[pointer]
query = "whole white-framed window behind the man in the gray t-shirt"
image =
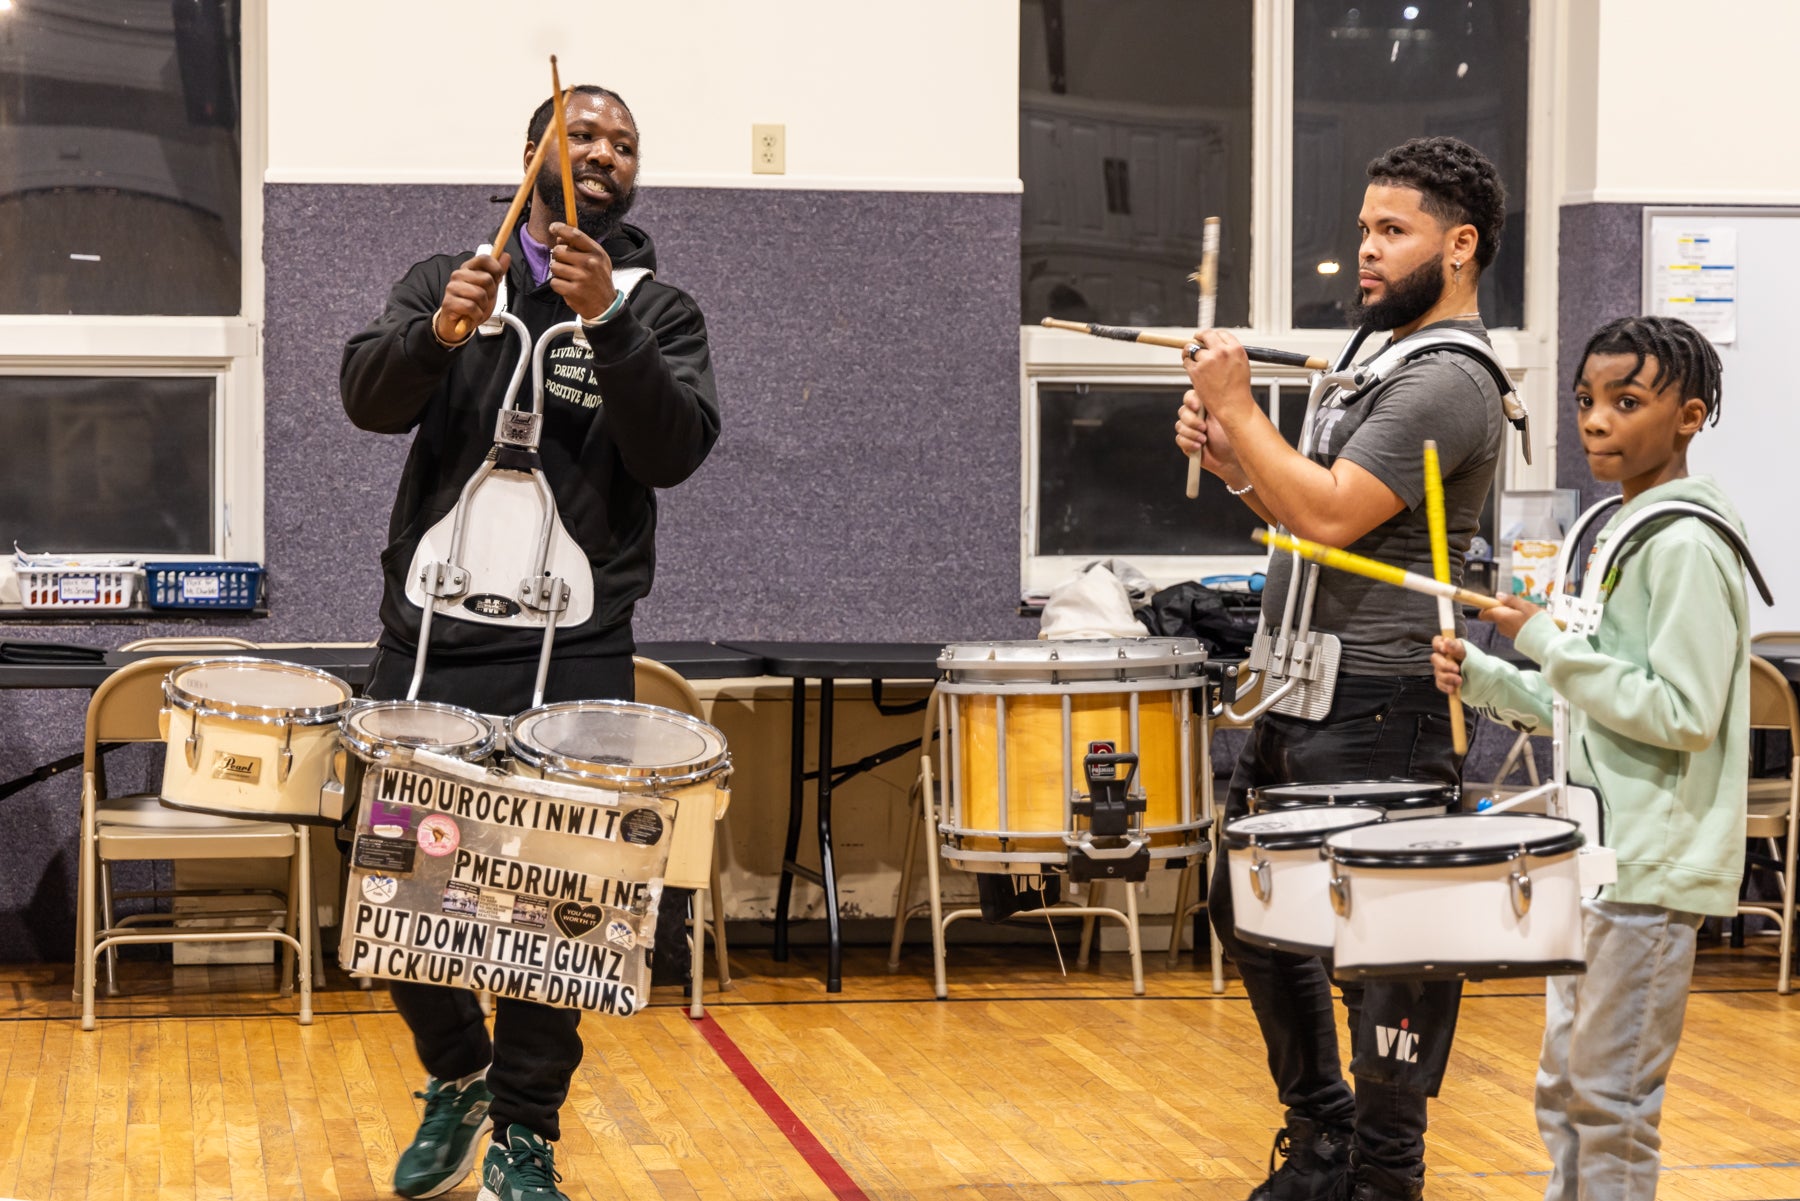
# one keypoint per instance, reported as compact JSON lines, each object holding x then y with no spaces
{"x":1142,"y":118}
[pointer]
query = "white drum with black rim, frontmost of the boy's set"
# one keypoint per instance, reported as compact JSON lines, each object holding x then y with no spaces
{"x":1471,"y":896}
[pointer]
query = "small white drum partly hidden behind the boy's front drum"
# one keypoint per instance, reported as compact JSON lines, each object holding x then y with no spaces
{"x":1279,"y":881}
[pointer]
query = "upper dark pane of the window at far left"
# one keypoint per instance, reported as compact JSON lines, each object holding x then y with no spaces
{"x":120,"y":158}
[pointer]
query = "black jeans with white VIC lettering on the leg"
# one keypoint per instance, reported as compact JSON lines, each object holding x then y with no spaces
{"x":1378,"y":728}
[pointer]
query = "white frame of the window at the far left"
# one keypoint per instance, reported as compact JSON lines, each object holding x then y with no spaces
{"x":228,"y":348}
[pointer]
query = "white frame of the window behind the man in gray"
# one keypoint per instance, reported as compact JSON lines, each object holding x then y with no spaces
{"x":1529,"y":352}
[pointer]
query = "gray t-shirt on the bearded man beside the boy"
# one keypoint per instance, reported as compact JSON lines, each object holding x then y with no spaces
{"x":1446,"y":397}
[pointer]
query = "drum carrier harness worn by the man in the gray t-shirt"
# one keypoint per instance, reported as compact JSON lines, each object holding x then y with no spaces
{"x":1299,"y":665}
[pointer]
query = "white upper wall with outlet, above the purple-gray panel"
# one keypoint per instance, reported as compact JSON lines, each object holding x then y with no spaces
{"x":895,"y":96}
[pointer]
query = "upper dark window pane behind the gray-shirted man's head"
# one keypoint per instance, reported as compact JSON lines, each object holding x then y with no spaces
{"x":1371,"y":75}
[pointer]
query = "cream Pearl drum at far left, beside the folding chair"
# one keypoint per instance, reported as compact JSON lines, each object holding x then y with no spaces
{"x":253,"y":739}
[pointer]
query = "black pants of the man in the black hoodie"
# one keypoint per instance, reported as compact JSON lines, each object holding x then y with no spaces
{"x":535,"y":1049}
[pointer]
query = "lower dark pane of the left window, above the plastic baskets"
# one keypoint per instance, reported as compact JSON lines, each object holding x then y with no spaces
{"x":107,"y":464}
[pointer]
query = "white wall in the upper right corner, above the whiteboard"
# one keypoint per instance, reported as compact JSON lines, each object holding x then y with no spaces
{"x":1691,"y":102}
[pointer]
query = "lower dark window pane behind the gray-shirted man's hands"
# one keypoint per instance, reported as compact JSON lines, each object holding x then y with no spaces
{"x":1111,"y":482}
